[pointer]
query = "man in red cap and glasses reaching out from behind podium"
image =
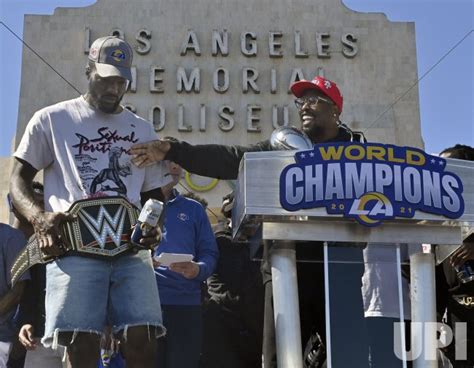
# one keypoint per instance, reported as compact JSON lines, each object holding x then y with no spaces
{"x":319,"y":103}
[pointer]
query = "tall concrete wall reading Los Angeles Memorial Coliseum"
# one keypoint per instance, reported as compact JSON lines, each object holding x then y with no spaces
{"x":383,"y":67}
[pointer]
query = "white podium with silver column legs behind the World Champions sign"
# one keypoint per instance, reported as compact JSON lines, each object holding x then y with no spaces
{"x":257,"y":204}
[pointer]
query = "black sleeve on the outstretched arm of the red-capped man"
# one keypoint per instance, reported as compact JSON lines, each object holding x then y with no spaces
{"x":212,"y":160}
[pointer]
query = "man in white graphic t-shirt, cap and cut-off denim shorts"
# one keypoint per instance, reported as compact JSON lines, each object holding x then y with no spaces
{"x":83,"y":147}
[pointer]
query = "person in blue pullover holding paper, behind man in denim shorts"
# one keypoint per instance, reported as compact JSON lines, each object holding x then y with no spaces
{"x":186,"y":230}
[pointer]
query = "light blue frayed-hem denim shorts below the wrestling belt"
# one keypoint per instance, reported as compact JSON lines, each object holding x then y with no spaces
{"x":86,"y":294}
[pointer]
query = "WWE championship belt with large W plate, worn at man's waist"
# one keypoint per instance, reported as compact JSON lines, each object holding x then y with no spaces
{"x":101,"y":228}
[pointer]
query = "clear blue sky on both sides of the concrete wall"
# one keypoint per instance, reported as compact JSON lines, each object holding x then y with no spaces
{"x":446,"y":93}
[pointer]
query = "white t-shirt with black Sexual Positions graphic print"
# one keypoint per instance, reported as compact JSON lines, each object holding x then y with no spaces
{"x":85,"y":154}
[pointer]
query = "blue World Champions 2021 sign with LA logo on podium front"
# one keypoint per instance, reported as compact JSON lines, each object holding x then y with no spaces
{"x":371,"y":182}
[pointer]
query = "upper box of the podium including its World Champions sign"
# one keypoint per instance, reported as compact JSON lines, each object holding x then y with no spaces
{"x":440,"y":208}
